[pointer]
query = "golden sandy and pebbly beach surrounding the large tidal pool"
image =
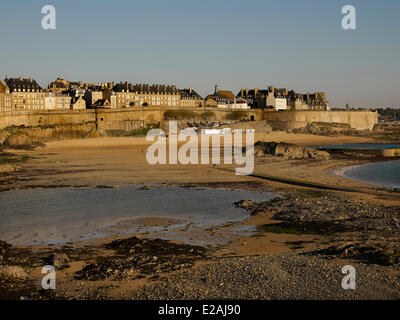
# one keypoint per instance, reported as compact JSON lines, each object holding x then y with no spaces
{"x":280,"y":247}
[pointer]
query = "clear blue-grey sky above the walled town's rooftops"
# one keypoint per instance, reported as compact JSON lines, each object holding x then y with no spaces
{"x":295,"y":44}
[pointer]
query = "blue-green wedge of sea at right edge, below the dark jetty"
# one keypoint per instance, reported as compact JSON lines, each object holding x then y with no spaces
{"x":385,"y":174}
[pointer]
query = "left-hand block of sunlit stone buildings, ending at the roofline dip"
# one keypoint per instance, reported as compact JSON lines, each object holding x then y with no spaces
{"x":19,"y":94}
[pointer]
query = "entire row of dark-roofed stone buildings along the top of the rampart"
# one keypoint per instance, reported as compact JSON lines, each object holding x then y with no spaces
{"x":18,"y":94}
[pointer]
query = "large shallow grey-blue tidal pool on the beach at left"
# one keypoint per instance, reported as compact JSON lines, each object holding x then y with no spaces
{"x":56,"y":216}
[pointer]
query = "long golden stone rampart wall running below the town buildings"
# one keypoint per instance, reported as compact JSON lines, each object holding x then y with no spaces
{"x":120,"y":118}
